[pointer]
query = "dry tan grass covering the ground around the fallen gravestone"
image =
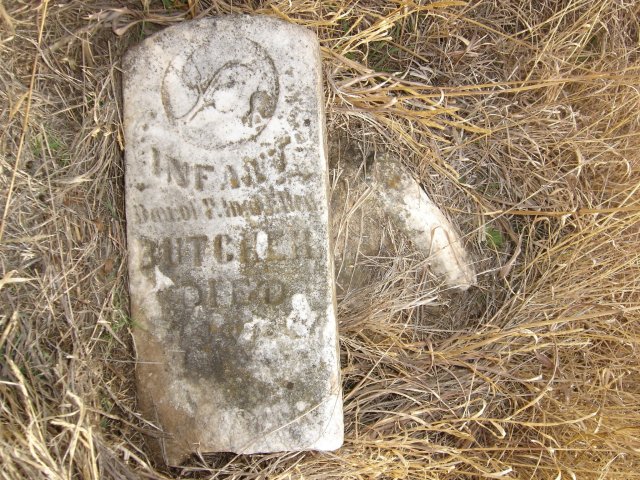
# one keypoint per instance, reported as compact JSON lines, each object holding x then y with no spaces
{"x":521,"y":118}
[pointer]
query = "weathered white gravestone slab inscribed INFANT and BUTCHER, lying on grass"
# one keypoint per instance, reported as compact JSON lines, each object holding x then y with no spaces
{"x":231,"y":277}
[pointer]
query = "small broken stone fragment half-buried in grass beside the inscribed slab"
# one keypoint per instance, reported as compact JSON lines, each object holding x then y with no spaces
{"x":365,"y":199}
